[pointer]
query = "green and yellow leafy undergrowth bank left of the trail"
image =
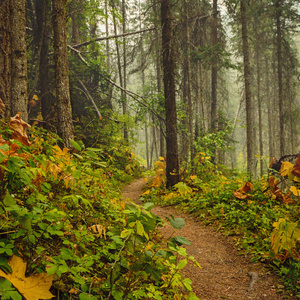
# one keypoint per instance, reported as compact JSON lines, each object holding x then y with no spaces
{"x":65,"y":232}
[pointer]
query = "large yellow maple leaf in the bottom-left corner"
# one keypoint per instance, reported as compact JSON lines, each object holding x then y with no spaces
{"x":34,"y":287}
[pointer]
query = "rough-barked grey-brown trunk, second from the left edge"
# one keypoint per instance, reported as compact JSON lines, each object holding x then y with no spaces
{"x":18,"y":58}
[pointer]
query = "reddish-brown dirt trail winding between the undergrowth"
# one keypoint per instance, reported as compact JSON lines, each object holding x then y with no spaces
{"x":224,"y":273}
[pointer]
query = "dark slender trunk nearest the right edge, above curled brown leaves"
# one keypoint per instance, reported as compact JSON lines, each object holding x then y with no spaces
{"x":278,"y":7}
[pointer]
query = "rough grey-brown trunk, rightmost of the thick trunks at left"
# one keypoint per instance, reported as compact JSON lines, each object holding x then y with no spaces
{"x":64,"y":109}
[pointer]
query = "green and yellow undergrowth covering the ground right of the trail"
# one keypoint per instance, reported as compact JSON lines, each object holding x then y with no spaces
{"x":261,"y":216}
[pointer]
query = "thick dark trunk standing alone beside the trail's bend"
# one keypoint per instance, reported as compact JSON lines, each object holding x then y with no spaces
{"x":172,"y":166}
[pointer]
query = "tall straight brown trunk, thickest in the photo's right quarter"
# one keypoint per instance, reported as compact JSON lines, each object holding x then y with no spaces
{"x":248,"y":94}
